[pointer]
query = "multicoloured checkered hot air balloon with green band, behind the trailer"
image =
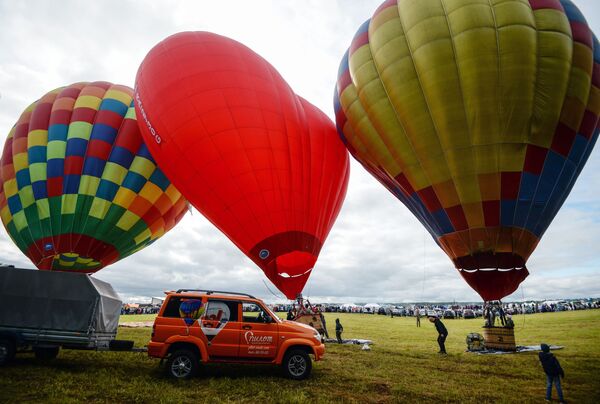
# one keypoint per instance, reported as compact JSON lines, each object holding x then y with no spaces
{"x":79,"y":189}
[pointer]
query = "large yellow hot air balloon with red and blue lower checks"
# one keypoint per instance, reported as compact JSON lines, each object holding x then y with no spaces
{"x":477,"y":115}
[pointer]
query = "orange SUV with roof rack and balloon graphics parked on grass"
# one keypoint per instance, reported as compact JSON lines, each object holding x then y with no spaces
{"x":206,"y":326}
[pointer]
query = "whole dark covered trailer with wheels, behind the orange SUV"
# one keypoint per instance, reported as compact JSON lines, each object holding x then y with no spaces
{"x":44,"y":311}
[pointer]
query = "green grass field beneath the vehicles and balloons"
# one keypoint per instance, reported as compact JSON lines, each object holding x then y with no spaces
{"x":402,"y":366}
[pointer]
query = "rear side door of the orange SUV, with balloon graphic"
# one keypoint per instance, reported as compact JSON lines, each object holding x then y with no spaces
{"x":221,"y":326}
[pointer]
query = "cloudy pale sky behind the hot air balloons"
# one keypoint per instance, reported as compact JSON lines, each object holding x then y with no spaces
{"x":377,"y":251}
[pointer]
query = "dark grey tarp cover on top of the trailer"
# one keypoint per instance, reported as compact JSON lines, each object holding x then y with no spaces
{"x":57,"y":301}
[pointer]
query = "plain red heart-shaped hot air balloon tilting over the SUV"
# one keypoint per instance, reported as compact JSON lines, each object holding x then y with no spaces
{"x":261,"y":163}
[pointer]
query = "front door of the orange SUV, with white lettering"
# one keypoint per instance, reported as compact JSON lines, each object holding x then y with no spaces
{"x":259,"y":333}
